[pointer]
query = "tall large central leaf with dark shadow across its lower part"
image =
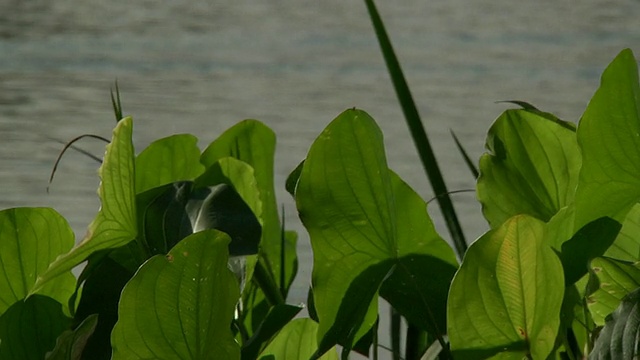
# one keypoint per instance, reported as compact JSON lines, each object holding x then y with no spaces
{"x":365,"y":225}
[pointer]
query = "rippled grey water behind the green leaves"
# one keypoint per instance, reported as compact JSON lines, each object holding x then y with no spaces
{"x":201,"y":66}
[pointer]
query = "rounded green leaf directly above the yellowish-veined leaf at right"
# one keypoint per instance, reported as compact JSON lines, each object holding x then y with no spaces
{"x":531,"y":168}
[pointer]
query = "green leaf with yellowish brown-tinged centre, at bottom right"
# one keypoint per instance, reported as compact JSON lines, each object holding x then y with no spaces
{"x":507,"y":295}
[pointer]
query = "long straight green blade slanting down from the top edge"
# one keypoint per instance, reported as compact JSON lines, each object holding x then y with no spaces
{"x":417,"y":130}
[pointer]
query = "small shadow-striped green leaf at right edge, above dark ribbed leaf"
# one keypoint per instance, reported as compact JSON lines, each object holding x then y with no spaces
{"x":612,"y":280}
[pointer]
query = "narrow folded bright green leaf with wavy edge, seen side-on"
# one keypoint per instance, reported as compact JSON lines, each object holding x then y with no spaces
{"x":115,"y":224}
